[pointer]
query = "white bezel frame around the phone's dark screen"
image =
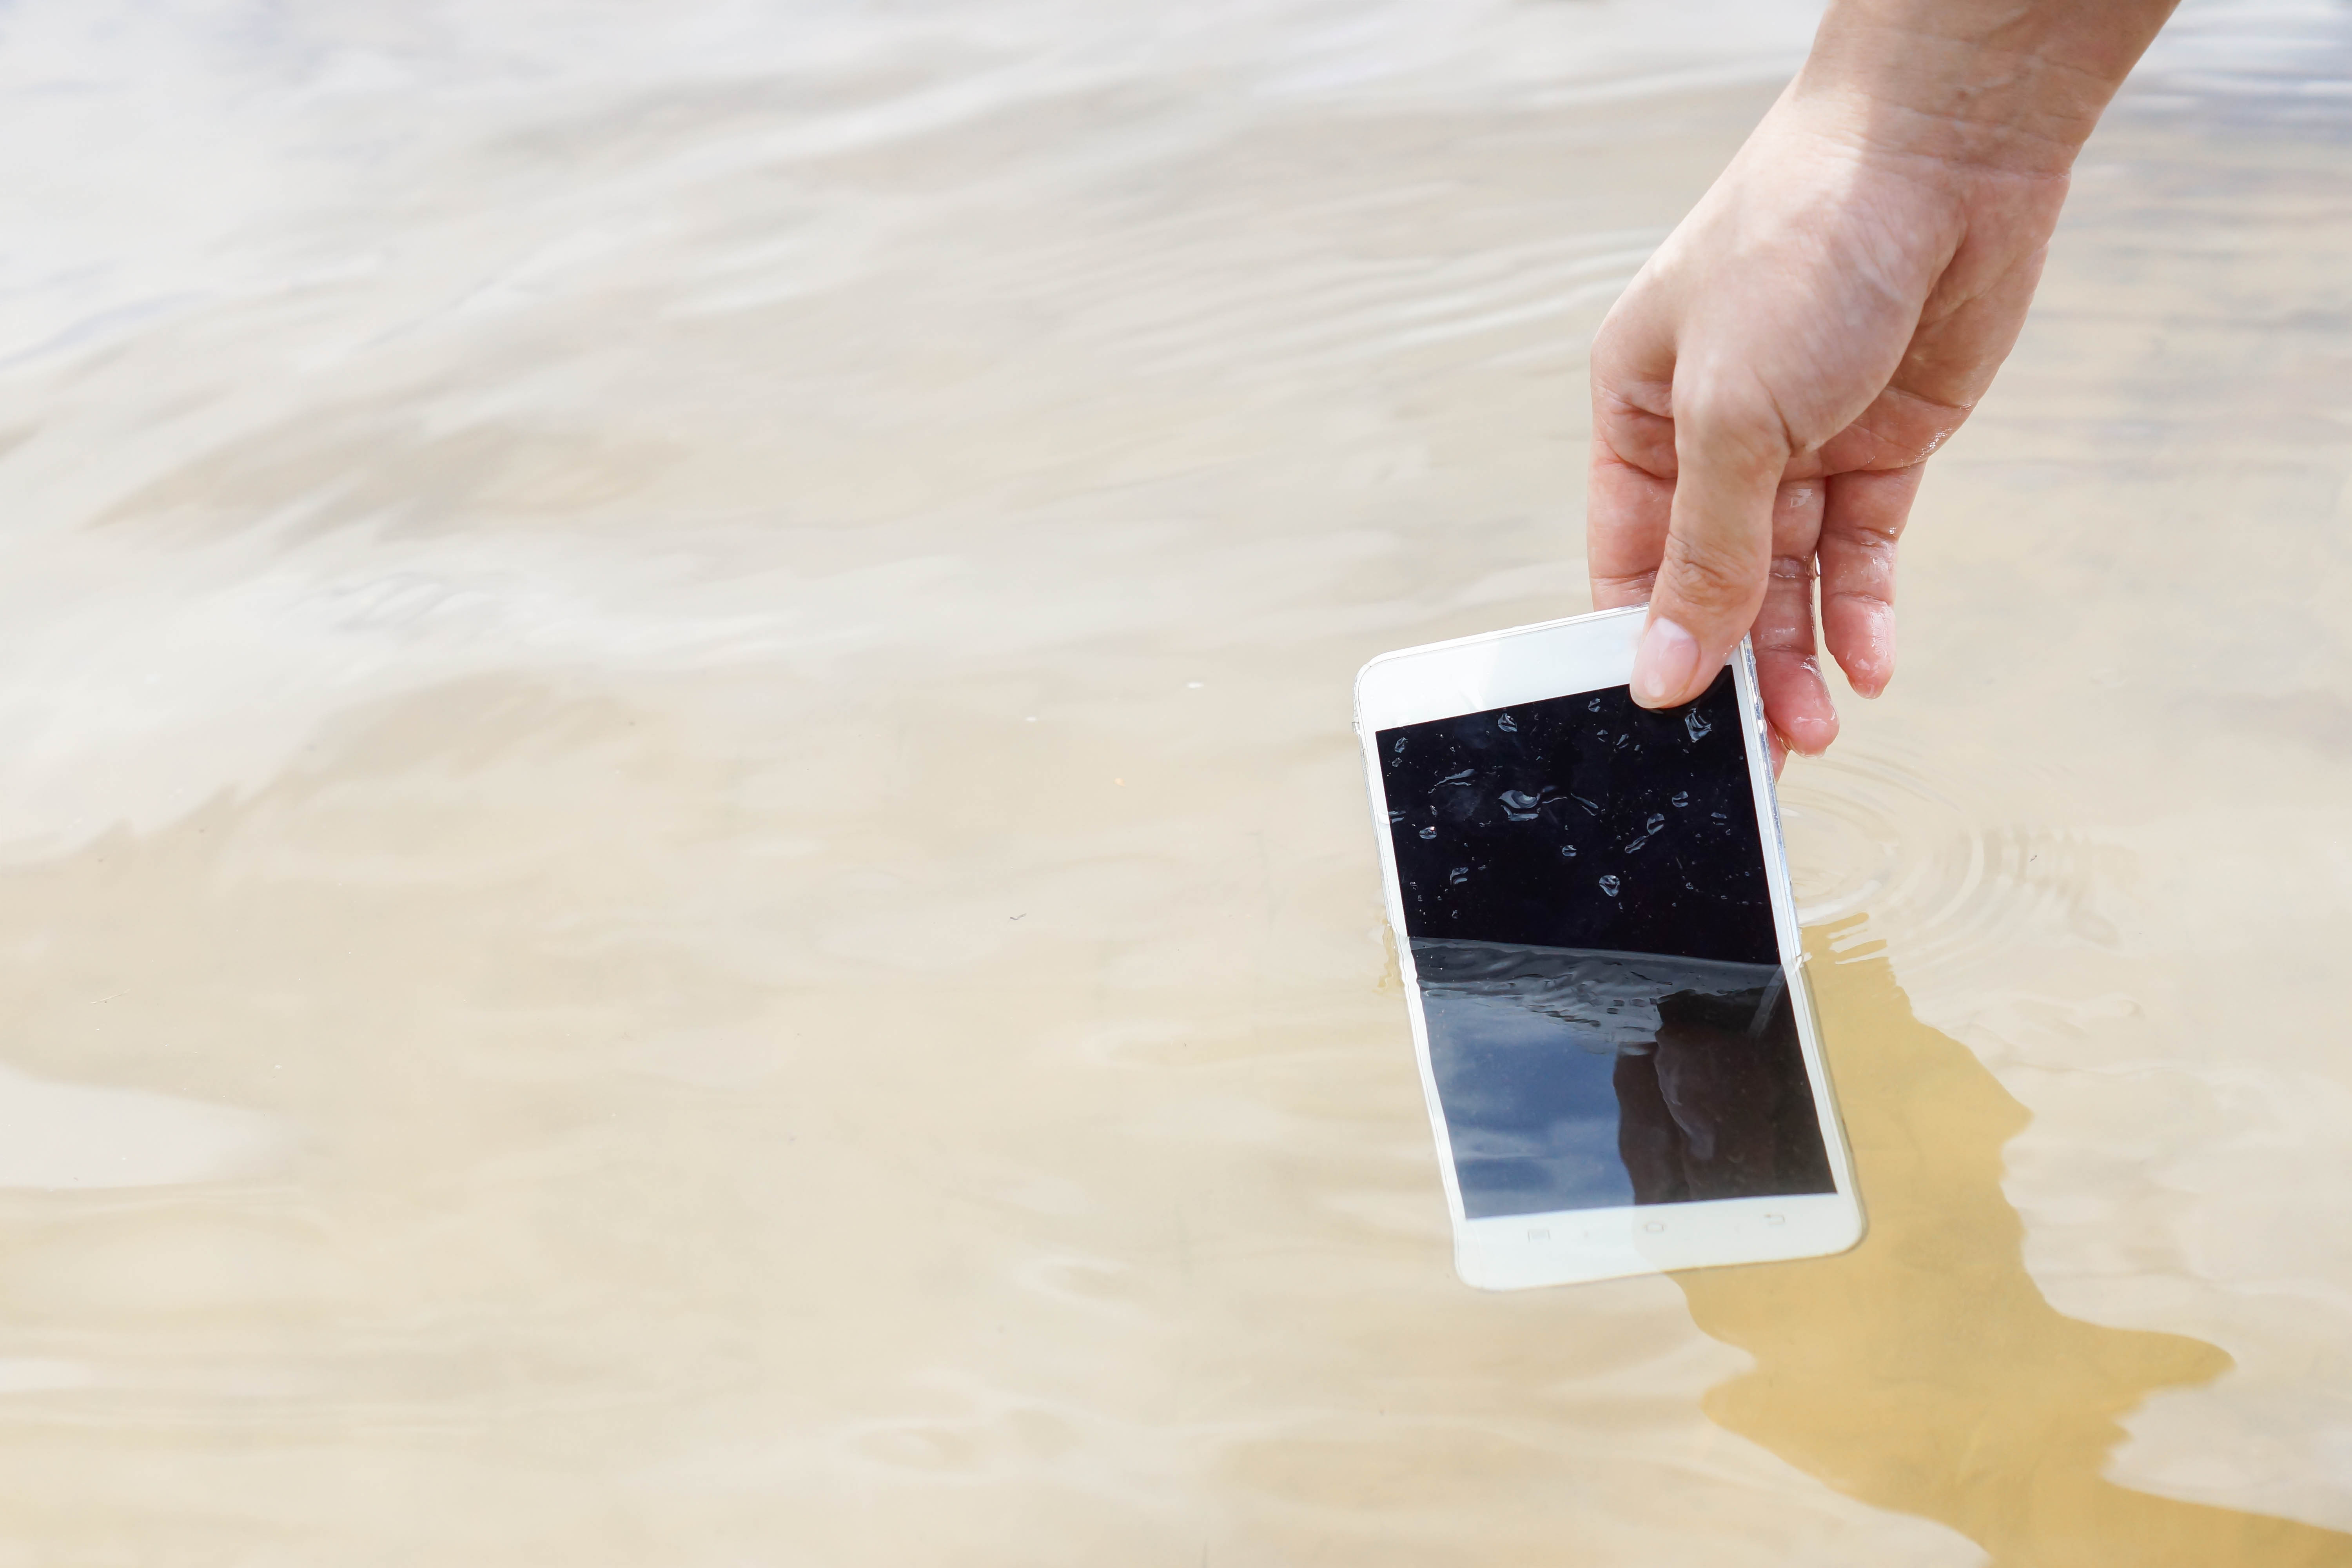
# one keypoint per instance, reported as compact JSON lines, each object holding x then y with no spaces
{"x":1502,"y":1254}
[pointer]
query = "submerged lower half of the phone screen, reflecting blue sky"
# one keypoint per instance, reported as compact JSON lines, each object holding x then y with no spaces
{"x":1596,"y":1080}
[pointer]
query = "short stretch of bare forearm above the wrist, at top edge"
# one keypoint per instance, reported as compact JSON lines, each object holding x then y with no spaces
{"x":2010,"y":86}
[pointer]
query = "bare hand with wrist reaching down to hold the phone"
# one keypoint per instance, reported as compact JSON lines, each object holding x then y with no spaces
{"x":1770,"y":387}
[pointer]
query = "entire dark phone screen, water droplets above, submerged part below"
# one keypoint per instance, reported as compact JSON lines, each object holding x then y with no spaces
{"x":1593,"y":937}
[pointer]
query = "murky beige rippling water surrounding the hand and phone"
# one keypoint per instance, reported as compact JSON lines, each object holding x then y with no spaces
{"x":686,"y":878}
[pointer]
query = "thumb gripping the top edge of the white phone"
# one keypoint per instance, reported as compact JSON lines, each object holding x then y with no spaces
{"x":1718,"y":549}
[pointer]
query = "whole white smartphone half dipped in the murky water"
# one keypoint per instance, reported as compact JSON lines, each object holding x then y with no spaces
{"x":1601,"y":960}
